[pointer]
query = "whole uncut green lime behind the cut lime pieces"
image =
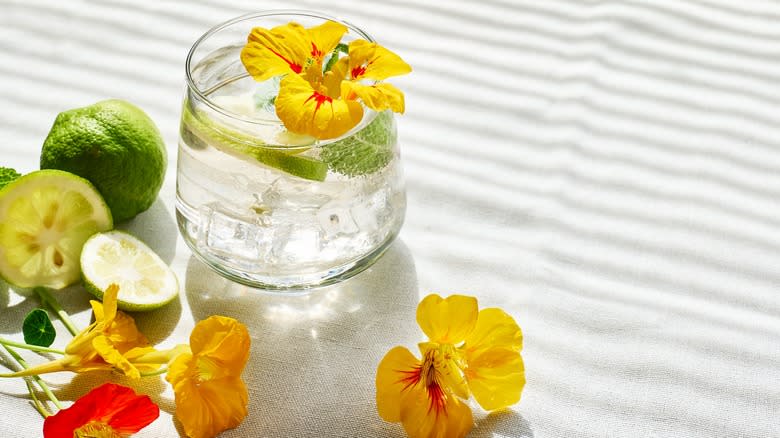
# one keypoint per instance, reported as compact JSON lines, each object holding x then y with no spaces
{"x":114,"y":145}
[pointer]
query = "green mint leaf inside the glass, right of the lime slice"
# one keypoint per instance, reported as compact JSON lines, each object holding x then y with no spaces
{"x":368,"y":151}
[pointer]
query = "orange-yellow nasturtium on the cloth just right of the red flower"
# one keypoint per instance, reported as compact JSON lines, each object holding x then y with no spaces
{"x":210,"y":395}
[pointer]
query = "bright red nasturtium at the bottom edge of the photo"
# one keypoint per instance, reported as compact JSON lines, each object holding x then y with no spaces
{"x":108,"y":411}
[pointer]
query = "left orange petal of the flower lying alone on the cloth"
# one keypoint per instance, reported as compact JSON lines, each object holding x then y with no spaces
{"x":399,"y":371}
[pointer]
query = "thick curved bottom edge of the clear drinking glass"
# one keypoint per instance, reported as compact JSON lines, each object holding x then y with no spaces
{"x":288,"y":283}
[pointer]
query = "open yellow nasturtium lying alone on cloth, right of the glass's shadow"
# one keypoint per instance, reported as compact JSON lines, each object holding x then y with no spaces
{"x":469,"y":352}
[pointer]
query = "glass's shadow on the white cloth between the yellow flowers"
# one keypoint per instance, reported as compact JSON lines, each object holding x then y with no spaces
{"x":313,"y":359}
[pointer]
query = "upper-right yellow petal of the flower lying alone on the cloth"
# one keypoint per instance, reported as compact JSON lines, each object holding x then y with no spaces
{"x":495,"y":328}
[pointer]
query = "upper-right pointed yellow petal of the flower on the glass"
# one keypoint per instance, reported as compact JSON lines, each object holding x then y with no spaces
{"x":372,"y":61}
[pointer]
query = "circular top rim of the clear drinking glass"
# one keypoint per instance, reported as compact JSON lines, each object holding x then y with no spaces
{"x":247,"y":17}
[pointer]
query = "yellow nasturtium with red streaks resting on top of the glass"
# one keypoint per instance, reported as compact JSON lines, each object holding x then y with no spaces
{"x":323,"y":104}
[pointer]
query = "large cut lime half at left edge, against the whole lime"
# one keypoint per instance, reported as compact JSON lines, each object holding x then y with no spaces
{"x":45,"y":218}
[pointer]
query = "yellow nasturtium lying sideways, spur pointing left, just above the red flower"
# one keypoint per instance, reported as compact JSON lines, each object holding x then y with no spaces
{"x":111,"y":342}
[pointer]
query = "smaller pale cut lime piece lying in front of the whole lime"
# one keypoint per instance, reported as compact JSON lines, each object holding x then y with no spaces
{"x":115,"y":257}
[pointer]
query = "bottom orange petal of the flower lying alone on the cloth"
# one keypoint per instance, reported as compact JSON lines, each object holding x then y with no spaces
{"x":421,"y":421}
